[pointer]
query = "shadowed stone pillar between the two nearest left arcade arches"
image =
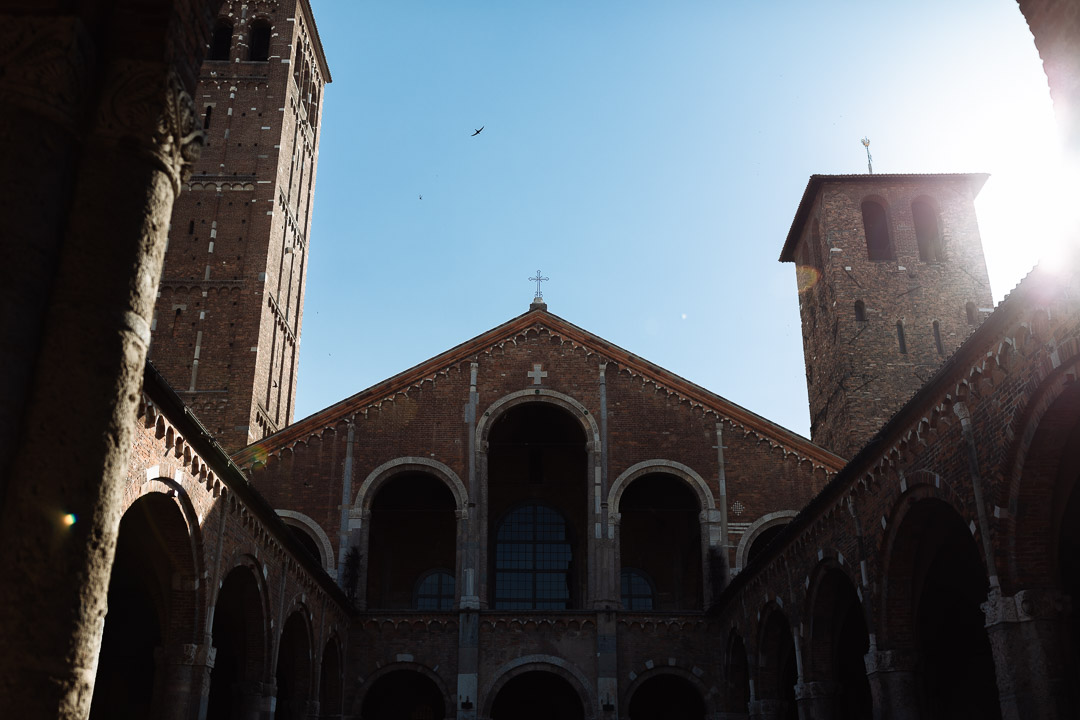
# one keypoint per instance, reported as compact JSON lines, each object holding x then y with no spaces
{"x":182,"y":682}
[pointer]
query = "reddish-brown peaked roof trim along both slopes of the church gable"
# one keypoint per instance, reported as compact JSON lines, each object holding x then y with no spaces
{"x":539,"y":319}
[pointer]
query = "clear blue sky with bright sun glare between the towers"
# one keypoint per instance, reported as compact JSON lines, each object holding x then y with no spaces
{"x":649,"y":158}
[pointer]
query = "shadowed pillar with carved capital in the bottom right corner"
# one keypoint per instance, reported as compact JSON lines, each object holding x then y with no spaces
{"x":1030,"y":636}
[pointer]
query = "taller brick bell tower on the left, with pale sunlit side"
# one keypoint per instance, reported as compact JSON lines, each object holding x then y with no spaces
{"x":227,"y":324}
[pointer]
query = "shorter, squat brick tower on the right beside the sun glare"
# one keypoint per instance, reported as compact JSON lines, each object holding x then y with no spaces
{"x":892,"y":281}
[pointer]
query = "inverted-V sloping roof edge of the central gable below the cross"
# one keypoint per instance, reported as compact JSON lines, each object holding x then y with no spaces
{"x":694,"y":392}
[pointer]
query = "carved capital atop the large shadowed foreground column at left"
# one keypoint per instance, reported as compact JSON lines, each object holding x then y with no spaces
{"x":146,"y":107}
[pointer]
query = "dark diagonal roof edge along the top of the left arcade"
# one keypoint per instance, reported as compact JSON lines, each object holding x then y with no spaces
{"x":181,"y":416}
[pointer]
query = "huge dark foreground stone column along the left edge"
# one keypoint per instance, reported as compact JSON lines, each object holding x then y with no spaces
{"x":134,"y":127}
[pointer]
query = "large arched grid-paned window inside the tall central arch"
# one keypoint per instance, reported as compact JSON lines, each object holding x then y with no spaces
{"x":533,"y":560}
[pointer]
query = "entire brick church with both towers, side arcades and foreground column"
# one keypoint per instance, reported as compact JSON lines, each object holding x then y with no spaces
{"x":535,"y":523}
